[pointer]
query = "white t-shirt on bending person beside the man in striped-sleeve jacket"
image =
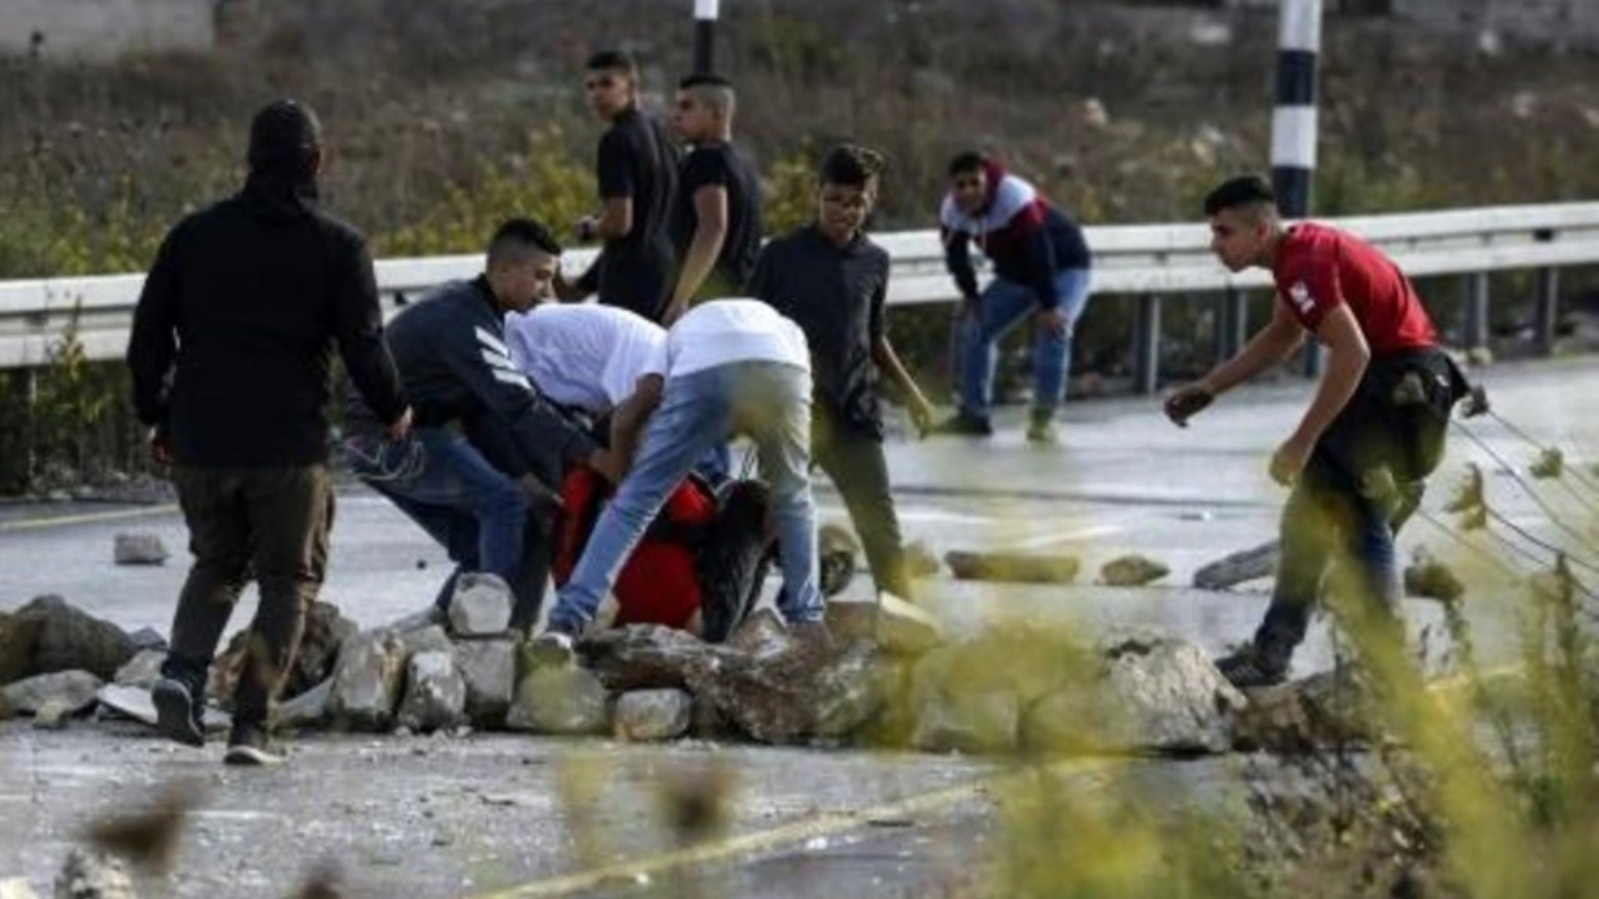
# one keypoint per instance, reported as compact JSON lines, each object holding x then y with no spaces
{"x":586,"y":356}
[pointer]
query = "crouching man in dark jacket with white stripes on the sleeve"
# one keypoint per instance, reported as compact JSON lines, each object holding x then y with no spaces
{"x":479,"y":473}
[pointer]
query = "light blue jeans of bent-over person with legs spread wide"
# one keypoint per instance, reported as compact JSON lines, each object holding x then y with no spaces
{"x":768,"y":401}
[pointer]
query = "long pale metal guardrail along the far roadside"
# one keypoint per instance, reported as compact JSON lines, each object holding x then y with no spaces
{"x":1149,"y":263}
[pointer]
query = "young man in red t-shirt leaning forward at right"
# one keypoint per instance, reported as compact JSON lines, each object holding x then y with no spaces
{"x":1373,"y":433}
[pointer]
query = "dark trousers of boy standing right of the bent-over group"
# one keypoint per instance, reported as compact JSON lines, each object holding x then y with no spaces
{"x":861,"y":474}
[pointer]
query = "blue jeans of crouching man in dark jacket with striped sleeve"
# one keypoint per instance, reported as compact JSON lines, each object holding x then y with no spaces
{"x":477,"y":513}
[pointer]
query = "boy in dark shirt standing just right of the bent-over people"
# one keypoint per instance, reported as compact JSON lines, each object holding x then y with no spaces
{"x":832,"y":281}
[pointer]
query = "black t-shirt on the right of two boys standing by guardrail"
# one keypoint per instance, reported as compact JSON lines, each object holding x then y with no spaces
{"x":720,"y":166}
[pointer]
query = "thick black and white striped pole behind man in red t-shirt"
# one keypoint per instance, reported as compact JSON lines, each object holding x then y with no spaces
{"x":1294,"y":122}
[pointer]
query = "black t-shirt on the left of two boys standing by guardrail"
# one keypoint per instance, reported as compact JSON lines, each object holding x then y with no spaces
{"x":640,"y":162}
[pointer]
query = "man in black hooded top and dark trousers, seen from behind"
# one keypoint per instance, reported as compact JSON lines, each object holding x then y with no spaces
{"x":231,"y":353}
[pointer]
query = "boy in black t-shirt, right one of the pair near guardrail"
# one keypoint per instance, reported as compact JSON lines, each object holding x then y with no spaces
{"x":716,"y":222}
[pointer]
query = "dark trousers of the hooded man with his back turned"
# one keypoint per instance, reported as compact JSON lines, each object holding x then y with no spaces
{"x":273,"y":522}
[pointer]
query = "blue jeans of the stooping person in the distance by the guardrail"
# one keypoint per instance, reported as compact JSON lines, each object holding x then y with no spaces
{"x":1003,"y":306}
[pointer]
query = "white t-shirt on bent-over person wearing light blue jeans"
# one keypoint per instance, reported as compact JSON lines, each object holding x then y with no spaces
{"x":722,"y":332}
